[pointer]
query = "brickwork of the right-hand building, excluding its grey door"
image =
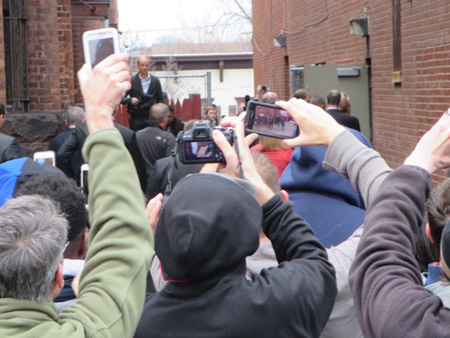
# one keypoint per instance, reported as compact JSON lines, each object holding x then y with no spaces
{"x":318,"y":31}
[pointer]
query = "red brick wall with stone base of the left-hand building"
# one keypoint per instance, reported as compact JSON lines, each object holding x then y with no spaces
{"x":54,"y":56}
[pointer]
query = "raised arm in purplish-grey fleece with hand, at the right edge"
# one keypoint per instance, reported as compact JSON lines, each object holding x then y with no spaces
{"x":385,"y":277}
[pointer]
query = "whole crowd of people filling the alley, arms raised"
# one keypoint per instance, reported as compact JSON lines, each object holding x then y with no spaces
{"x":313,"y":236}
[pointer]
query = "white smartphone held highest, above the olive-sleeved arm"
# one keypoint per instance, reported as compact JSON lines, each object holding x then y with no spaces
{"x":99,"y":44}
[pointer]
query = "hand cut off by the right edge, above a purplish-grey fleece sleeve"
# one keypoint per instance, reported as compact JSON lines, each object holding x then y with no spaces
{"x":433,"y":150}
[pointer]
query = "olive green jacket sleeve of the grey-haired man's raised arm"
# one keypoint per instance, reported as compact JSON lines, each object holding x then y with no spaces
{"x":112,"y":289}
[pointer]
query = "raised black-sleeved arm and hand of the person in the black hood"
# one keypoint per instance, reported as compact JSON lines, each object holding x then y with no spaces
{"x":305,"y":279}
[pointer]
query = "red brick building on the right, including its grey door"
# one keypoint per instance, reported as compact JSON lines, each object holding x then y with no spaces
{"x":402,"y":77}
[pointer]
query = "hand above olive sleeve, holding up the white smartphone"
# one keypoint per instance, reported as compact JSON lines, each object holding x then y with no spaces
{"x":103,"y":90}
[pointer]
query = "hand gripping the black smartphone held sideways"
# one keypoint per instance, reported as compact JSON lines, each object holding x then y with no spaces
{"x":317,"y":127}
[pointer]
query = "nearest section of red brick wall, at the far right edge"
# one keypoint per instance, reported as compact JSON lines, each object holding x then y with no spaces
{"x":402,"y":114}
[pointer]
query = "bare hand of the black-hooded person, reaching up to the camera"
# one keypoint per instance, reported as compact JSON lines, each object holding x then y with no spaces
{"x":263,"y":192}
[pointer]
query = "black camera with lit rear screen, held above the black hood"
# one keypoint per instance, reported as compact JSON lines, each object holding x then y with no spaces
{"x":197,"y":145}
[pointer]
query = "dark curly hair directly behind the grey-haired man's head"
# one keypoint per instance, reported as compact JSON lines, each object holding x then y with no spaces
{"x":63,"y":191}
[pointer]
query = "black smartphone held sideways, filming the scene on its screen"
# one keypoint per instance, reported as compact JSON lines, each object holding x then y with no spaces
{"x":269,"y":120}
